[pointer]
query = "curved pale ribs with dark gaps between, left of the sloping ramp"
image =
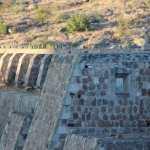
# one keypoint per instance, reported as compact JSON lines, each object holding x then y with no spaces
{"x":24,"y":69}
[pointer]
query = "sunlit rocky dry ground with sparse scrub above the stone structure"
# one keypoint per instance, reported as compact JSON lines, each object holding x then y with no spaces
{"x":113,"y":23}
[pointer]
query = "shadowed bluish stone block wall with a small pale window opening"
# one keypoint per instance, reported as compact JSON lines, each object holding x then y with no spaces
{"x":98,"y":108}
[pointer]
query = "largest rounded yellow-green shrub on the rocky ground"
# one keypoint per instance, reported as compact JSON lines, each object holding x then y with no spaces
{"x":78,"y":23}
